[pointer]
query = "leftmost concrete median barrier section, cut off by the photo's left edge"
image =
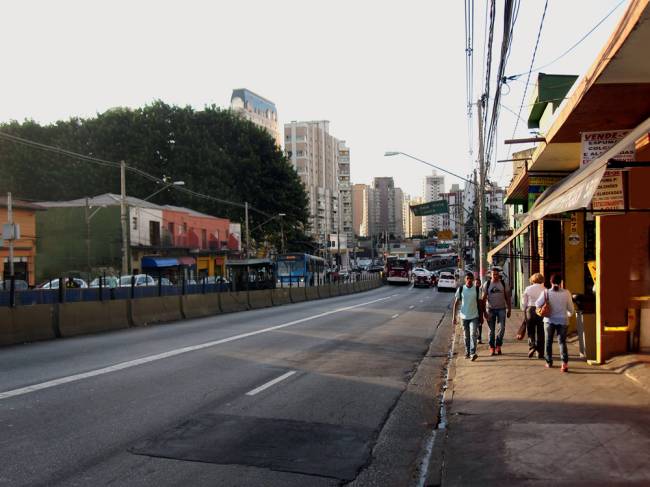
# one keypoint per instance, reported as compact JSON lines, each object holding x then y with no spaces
{"x":26,"y":324}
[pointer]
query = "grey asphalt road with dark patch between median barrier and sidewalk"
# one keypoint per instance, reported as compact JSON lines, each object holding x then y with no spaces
{"x":295,"y":395}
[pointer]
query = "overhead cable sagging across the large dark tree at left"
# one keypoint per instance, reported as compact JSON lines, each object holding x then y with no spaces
{"x":114,"y":164}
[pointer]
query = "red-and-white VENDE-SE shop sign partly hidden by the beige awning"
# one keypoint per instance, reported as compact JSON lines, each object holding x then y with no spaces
{"x":609,"y":195}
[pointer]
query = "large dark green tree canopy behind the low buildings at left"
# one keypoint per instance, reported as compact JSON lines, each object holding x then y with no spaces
{"x":213,"y":151}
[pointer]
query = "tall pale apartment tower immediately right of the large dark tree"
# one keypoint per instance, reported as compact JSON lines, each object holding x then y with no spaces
{"x":314,"y":154}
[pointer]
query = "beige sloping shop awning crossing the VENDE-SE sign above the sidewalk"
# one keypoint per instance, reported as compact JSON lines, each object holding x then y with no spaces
{"x":575,"y":191}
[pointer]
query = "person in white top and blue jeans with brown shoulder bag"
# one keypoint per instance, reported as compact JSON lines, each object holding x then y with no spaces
{"x":561,"y":304}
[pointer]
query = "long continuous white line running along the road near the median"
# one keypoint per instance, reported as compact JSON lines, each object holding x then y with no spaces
{"x":171,"y":353}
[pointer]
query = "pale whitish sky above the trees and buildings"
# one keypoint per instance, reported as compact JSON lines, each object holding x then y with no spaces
{"x":389,"y":76}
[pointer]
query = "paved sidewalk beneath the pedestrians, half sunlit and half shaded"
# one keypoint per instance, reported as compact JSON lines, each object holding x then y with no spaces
{"x":512,"y":421}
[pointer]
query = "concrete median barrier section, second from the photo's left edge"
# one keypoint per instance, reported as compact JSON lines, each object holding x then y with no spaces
{"x":86,"y":317}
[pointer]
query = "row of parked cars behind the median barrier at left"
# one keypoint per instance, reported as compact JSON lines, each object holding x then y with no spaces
{"x":106,"y":282}
